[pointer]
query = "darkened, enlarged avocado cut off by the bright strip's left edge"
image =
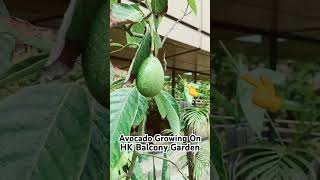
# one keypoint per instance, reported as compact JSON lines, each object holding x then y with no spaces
{"x":95,"y":60}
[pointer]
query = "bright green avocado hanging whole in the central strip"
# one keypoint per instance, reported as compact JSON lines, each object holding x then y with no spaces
{"x":150,"y":78}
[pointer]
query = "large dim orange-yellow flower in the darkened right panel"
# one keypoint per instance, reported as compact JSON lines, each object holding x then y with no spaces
{"x":264,"y":95}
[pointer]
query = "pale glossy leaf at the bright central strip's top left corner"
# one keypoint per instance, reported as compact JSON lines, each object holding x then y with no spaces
{"x":124,"y":12}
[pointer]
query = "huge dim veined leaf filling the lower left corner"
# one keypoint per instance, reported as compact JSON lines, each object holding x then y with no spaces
{"x":45,"y":133}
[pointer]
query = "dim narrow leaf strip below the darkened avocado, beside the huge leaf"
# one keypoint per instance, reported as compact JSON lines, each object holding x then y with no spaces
{"x":96,"y":167}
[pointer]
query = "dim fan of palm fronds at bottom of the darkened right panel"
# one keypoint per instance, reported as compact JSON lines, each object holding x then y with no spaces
{"x":273,"y":161}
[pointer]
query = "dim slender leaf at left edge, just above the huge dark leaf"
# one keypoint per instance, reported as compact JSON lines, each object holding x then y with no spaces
{"x":24,"y":68}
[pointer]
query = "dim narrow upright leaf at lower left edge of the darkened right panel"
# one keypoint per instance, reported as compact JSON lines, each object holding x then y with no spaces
{"x":217,"y":155}
